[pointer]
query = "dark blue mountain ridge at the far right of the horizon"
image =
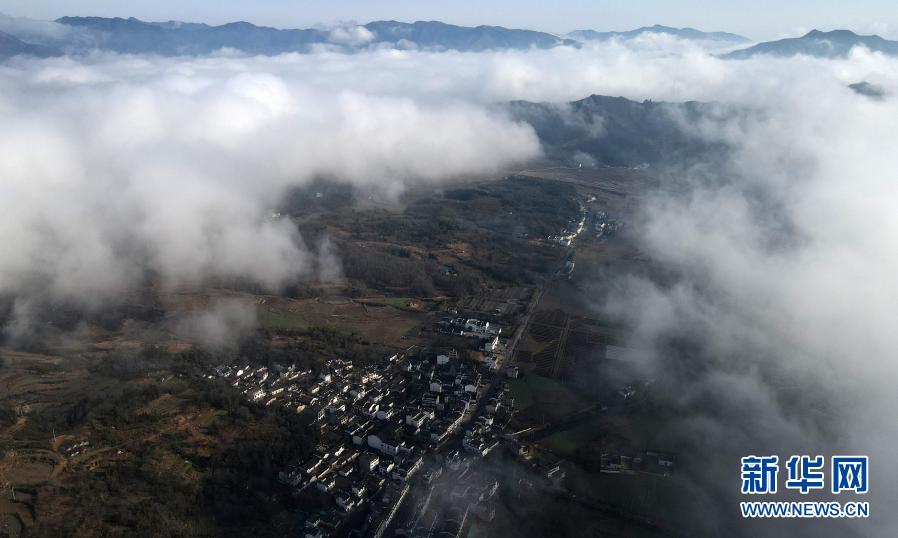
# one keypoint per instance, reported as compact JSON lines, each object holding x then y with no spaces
{"x":833,"y":44}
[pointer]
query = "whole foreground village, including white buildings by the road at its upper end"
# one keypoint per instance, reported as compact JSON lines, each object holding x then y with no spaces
{"x":380,"y":421}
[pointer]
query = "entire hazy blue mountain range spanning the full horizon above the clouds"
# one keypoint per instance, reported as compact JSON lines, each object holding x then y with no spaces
{"x":78,"y":35}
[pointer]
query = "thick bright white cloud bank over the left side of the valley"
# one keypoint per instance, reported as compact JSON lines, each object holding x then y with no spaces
{"x":118,"y":169}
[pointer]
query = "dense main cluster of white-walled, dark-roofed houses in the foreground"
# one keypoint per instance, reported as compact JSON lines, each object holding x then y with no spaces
{"x":377,"y":421}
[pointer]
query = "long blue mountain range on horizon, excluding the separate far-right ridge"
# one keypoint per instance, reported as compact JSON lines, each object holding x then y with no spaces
{"x":171,"y":38}
